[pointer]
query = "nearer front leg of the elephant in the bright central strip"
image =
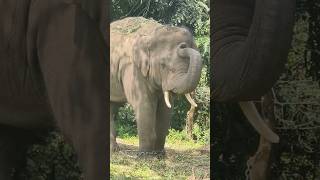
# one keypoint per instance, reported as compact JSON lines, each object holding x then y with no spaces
{"x":144,"y":103}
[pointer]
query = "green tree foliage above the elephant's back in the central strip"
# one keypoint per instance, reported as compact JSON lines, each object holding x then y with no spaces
{"x":165,"y":11}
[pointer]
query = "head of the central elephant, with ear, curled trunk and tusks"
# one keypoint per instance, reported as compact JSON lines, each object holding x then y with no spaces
{"x":170,"y":60}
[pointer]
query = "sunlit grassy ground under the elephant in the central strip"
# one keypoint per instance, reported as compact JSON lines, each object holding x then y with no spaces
{"x":184,"y":160}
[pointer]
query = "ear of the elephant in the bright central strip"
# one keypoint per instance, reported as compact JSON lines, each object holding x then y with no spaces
{"x":141,"y":54}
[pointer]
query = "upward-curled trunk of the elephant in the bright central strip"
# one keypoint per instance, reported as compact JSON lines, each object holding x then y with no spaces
{"x":187,"y":82}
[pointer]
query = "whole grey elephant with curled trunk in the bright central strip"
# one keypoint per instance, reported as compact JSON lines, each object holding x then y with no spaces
{"x":149,"y":63}
